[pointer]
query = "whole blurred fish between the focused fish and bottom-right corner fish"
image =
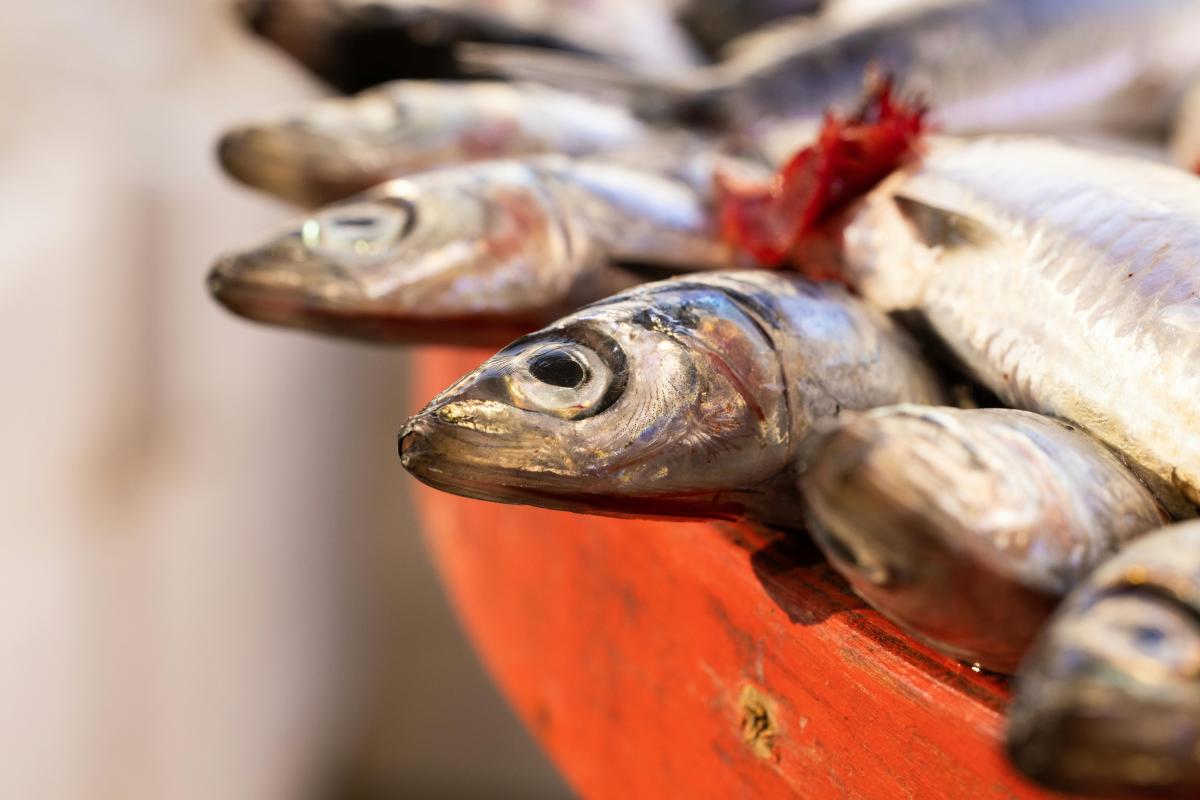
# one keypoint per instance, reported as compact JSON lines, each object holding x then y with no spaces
{"x":968,"y":527}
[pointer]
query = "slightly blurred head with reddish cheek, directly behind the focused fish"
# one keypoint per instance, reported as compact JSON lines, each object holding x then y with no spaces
{"x":455,"y":248}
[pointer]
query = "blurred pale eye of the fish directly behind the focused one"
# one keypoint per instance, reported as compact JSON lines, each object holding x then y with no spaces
{"x":357,"y":233}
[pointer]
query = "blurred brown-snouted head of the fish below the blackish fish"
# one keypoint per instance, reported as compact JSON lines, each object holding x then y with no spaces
{"x":338,"y":147}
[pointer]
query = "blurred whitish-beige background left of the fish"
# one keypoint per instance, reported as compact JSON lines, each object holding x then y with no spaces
{"x":213,"y":584}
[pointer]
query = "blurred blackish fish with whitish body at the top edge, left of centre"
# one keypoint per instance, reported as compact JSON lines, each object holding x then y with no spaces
{"x":358,"y":44}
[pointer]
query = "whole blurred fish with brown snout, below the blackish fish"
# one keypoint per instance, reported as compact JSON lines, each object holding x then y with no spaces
{"x":334,"y":148}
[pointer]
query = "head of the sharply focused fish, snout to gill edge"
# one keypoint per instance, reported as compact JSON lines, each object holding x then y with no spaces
{"x":663,"y":402}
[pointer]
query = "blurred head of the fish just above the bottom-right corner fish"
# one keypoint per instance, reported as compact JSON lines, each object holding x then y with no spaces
{"x":914,"y":507}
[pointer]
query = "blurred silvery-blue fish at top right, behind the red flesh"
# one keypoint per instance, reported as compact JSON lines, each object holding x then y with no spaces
{"x":982,"y":65}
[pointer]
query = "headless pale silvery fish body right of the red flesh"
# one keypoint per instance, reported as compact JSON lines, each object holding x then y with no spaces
{"x":1064,"y":279}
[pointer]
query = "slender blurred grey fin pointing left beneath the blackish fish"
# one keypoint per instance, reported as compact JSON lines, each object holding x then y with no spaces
{"x":655,"y":98}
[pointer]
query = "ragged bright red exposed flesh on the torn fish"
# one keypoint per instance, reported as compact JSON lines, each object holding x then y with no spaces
{"x":850,"y":157}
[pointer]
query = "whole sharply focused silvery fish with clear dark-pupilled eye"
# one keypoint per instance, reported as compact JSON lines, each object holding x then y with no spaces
{"x":687,"y":399}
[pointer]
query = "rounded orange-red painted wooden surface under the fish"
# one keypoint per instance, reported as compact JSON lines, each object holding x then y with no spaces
{"x":664,"y":660}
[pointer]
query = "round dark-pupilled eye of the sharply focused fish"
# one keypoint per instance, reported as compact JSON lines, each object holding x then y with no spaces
{"x":566,"y":380}
